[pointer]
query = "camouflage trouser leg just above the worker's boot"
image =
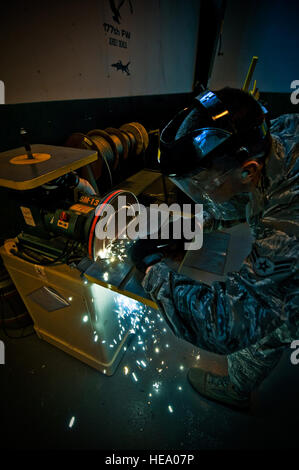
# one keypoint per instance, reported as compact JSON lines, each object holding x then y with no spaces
{"x":249,"y":367}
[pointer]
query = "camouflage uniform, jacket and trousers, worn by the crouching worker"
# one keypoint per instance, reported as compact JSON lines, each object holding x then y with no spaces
{"x":254,"y":314}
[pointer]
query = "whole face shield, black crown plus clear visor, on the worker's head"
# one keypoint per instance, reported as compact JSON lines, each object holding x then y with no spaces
{"x":204,"y":161}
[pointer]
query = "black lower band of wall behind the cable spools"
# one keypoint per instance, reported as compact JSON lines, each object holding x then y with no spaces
{"x":52,"y":122}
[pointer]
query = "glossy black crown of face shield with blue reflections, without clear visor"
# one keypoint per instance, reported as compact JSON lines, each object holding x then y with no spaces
{"x":191,"y":141}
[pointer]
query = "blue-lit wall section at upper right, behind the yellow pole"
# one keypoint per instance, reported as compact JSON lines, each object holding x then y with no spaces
{"x":268,"y":29}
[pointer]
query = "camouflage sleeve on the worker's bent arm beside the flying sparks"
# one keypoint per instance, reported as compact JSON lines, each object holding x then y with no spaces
{"x":228,"y":316}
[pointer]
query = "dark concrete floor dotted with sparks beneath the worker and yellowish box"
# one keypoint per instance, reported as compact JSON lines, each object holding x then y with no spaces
{"x":42,"y":388}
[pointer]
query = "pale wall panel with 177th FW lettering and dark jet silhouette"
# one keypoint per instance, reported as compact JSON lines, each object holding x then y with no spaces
{"x":65,"y":49}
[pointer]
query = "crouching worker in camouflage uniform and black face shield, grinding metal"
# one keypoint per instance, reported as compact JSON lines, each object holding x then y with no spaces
{"x":221,"y":153}
